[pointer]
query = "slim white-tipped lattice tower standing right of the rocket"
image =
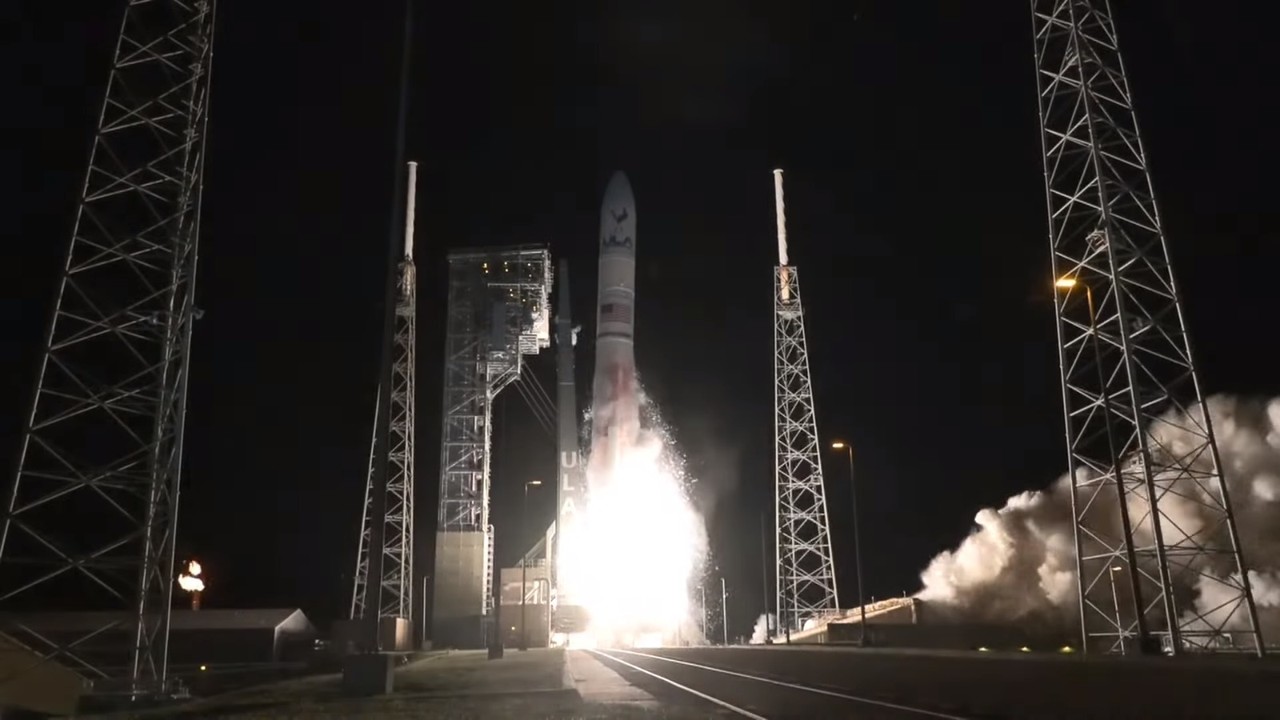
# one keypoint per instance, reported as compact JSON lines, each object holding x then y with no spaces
{"x":806,"y":571}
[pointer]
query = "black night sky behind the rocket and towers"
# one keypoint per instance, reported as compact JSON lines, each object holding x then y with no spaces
{"x":916,"y":213}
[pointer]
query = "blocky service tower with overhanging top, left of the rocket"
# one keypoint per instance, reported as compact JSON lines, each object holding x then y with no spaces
{"x":499,"y":312}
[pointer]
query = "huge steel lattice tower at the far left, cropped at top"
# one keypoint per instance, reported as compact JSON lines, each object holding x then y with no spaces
{"x":94,"y":511}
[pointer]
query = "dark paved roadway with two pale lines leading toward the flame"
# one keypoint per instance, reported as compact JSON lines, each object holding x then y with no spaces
{"x":780,"y":682}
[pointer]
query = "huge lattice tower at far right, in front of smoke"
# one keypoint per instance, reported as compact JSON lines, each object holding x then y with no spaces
{"x":1137,"y":426}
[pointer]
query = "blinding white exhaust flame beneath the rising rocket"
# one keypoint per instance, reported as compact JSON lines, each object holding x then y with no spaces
{"x":637,"y":550}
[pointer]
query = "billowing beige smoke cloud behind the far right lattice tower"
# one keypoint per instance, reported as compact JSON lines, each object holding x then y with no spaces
{"x":1020,"y":564}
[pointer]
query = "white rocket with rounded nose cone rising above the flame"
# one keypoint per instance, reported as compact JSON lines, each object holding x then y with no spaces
{"x":616,"y":408}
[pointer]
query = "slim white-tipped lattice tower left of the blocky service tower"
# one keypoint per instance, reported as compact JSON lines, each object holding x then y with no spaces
{"x":396,"y":599}
